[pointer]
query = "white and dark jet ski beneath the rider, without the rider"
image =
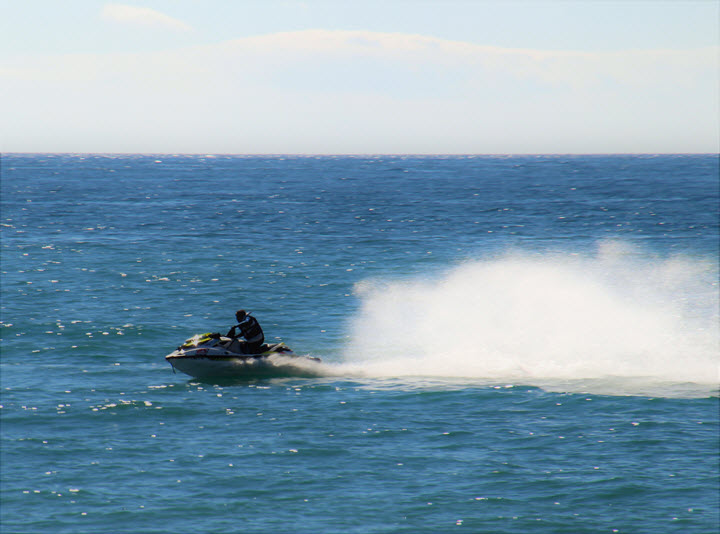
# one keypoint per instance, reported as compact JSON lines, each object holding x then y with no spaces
{"x":211,"y":355}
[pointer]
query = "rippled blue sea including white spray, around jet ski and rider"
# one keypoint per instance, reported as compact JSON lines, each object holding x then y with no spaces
{"x":509,"y":344}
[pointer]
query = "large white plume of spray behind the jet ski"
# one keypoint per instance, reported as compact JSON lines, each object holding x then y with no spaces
{"x":544,"y":319}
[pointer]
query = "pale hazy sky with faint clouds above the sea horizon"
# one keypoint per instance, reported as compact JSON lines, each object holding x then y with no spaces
{"x":360,"y":77}
